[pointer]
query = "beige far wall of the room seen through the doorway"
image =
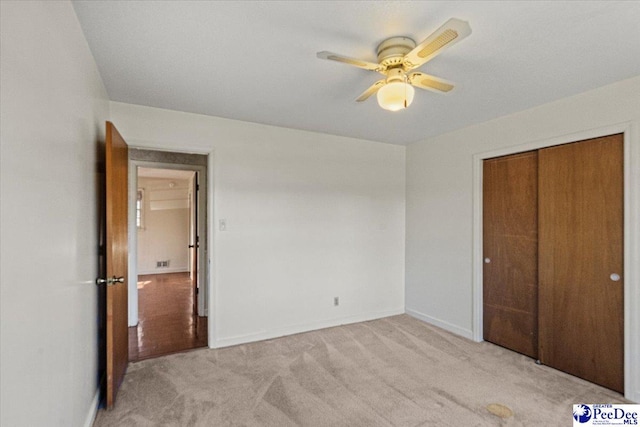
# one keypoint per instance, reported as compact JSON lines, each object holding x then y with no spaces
{"x":165,"y":235}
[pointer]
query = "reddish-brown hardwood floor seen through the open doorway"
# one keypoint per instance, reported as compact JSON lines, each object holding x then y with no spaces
{"x":167,"y":323}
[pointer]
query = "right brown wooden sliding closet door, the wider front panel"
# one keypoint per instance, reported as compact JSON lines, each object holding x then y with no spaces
{"x":580,"y":247}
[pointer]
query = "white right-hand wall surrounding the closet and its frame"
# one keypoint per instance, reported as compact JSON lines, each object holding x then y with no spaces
{"x":440,"y":204}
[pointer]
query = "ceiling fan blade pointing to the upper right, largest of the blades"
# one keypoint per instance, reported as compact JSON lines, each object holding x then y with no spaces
{"x":444,"y":37}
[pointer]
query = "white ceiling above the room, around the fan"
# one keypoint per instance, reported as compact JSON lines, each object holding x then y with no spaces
{"x":256,"y":61}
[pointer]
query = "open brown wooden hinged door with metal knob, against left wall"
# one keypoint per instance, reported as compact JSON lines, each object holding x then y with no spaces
{"x":116,"y":151}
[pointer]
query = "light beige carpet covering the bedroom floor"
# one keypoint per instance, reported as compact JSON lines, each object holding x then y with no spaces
{"x":396,"y":371}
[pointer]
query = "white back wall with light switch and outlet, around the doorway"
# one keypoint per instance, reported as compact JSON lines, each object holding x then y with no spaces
{"x":309,"y":217}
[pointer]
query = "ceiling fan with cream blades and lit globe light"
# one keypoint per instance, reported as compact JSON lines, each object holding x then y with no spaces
{"x":397,"y":56}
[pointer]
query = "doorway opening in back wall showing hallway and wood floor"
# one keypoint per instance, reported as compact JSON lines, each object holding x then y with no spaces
{"x":168,"y":310}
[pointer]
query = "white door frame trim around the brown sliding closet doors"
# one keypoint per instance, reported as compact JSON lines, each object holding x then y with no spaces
{"x":631,"y":211}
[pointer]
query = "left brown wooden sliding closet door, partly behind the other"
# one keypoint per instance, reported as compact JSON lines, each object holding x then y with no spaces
{"x":510,"y":247}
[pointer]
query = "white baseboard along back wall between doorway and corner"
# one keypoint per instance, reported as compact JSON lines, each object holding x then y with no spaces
{"x":297,"y":329}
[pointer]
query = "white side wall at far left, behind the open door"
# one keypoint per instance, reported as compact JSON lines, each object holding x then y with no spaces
{"x":53,"y":108}
